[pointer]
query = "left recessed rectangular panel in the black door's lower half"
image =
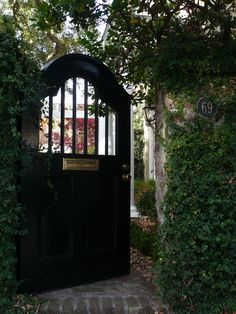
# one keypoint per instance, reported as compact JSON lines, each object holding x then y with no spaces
{"x":56,"y":216}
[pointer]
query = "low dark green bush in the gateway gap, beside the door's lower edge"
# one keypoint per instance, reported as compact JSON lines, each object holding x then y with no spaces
{"x":144,"y":240}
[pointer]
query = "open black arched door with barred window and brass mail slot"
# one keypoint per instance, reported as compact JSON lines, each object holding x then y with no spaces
{"x":76,"y":188}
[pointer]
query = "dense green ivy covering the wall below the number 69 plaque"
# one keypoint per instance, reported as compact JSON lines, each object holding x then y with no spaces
{"x":196,"y":269}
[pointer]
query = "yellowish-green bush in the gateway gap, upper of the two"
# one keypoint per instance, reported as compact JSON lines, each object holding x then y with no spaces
{"x":145,"y":198}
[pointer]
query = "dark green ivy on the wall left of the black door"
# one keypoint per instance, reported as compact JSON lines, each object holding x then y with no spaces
{"x":16,"y":97}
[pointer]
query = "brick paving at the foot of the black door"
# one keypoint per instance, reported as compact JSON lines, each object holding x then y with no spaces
{"x":126,"y":294}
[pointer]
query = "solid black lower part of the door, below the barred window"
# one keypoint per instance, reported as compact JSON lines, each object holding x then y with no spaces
{"x":75,"y":227}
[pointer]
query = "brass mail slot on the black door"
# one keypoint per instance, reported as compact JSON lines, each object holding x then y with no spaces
{"x":80,"y":164}
